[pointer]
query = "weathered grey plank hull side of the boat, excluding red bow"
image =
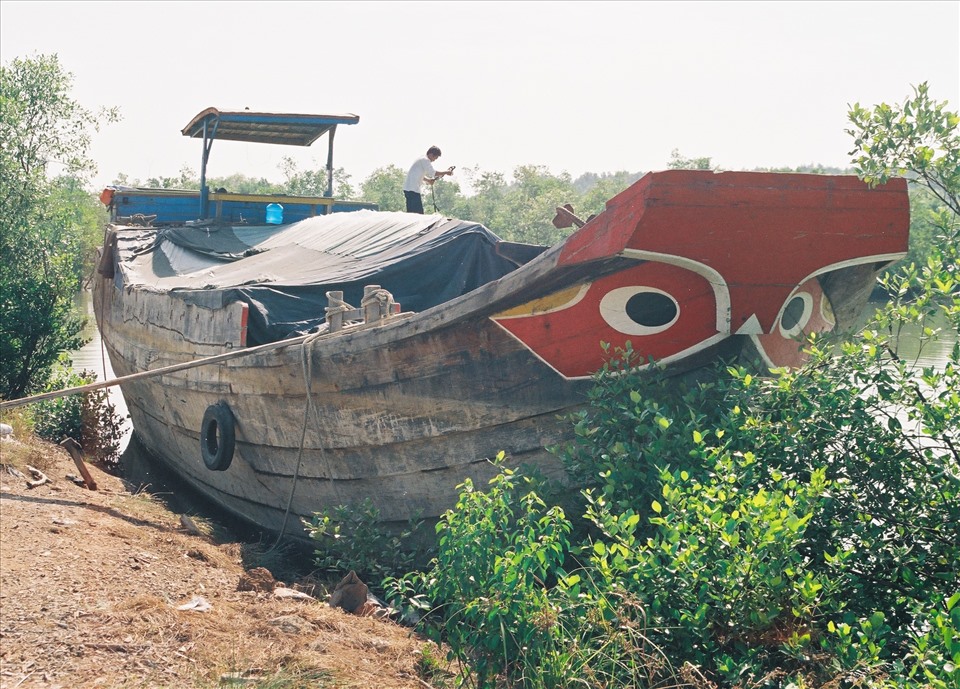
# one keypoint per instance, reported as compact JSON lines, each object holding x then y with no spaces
{"x":400,"y":415}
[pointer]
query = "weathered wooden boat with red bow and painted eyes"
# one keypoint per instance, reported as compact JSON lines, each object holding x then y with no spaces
{"x":390,"y":356}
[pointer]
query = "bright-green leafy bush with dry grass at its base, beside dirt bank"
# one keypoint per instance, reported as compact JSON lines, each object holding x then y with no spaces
{"x":507,"y":608}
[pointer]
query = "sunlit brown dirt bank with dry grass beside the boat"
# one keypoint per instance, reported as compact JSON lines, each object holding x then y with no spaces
{"x":109,"y":589}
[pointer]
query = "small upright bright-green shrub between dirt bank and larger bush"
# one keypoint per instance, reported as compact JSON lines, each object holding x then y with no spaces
{"x":497,"y":551}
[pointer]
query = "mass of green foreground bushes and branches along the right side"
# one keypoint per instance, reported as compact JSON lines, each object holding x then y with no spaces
{"x":795,"y":530}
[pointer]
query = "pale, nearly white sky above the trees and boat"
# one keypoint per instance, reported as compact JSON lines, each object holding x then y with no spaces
{"x":572,"y":86}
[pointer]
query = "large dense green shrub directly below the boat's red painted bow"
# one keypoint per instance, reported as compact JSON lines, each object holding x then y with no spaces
{"x":802,"y":533}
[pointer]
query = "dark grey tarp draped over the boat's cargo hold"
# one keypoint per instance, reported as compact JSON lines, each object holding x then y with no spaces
{"x":283,"y":272}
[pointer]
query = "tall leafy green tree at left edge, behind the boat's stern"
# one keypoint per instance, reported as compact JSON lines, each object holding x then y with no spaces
{"x":48,"y":224}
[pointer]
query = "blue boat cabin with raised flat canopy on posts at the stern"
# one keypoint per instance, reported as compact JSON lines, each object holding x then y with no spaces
{"x":178,"y":206}
